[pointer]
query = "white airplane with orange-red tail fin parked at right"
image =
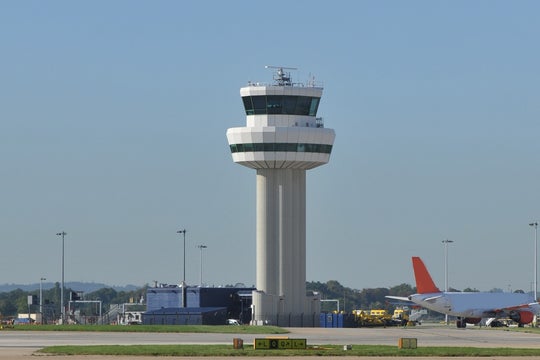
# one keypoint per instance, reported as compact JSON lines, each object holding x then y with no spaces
{"x":469,"y":307}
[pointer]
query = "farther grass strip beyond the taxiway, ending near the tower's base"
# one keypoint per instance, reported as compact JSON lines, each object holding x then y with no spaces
{"x":224,"y":329}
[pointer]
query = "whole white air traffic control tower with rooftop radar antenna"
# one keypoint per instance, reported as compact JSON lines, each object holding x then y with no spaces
{"x":283,"y":138}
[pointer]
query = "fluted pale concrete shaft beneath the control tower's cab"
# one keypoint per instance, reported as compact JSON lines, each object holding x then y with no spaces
{"x":281,"y":235}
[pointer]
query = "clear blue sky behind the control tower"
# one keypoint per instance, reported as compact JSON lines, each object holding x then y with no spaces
{"x":112,"y":128}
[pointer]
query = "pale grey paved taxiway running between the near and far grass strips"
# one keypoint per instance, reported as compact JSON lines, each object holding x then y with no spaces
{"x":20,"y":344}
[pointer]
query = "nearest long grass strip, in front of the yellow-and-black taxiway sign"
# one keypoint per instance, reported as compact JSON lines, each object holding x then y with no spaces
{"x":326,"y":350}
